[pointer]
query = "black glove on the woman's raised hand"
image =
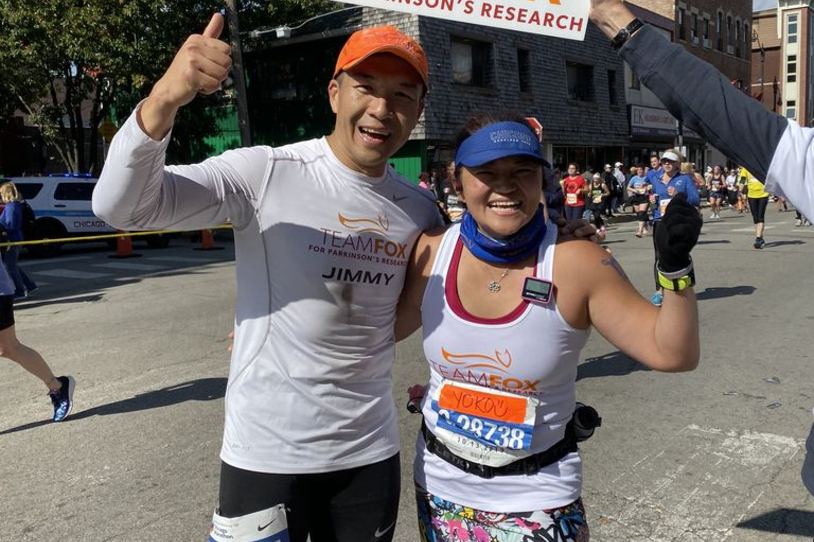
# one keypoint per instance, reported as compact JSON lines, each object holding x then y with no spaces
{"x":677,"y":234}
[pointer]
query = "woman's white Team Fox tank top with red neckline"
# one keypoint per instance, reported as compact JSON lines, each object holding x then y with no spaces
{"x":531,"y":352}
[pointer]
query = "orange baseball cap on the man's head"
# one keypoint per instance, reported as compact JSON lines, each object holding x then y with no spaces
{"x":382,"y":39}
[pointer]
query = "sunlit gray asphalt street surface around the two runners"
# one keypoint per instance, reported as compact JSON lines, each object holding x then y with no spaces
{"x":710,"y":455}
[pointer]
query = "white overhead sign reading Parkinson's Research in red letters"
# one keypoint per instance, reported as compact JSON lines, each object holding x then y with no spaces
{"x":558,"y":18}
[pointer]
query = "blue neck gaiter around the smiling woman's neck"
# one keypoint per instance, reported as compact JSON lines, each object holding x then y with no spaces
{"x":512,"y":249}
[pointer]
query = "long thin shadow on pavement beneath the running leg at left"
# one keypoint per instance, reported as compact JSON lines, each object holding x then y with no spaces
{"x":205,"y":389}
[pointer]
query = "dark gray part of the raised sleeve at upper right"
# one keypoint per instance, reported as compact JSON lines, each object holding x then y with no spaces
{"x":698,"y":94}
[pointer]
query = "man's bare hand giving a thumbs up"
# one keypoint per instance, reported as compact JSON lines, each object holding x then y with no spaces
{"x":200,"y":66}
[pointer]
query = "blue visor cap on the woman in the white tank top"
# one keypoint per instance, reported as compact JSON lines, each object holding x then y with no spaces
{"x":499,"y":140}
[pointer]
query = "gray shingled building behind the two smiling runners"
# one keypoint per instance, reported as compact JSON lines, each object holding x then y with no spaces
{"x":575,"y":89}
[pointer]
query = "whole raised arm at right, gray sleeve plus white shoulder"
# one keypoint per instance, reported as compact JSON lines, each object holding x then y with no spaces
{"x":774,"y":149}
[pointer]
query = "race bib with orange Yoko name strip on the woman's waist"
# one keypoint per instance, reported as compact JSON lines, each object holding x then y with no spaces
{"x":484,"y":425}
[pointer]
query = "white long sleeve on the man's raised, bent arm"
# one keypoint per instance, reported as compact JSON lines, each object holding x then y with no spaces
{"x":136,"y":191}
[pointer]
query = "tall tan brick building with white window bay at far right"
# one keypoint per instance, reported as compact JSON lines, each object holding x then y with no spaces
{"x":782,"y":59}
